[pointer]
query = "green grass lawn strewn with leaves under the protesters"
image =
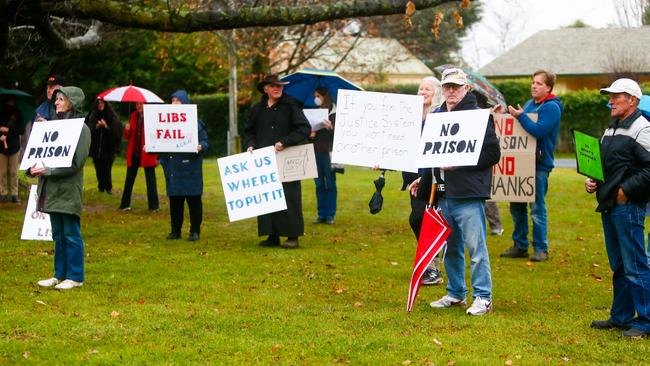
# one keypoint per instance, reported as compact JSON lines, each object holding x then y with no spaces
{"x":339,"y":298}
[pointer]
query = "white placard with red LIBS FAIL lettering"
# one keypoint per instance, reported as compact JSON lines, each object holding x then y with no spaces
{"x":170,"y":128}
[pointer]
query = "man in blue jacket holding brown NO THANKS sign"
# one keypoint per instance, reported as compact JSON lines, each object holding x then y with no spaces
{"x":549,"y":111}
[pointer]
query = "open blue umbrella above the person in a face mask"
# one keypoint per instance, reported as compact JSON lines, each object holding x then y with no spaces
{"x":303,"y":83}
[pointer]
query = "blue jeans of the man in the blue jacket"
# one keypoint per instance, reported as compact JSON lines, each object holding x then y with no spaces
{"x":519,"y":213}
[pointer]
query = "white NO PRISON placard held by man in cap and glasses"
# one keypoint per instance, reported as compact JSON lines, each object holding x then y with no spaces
{"x":452,"y":138}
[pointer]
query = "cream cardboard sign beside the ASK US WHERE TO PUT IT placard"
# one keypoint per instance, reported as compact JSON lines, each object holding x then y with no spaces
{"x":297,"y":163}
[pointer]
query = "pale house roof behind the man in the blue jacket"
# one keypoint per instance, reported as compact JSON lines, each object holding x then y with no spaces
{"x":576,"y":51}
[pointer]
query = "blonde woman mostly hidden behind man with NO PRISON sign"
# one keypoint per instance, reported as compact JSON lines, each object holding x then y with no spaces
{"x":430,"y":89}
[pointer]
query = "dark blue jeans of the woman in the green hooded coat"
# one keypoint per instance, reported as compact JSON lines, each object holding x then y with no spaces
{"x":68,"y":247}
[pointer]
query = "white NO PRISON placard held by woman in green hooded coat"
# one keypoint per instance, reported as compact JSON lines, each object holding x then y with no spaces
{"x":52,"y":143}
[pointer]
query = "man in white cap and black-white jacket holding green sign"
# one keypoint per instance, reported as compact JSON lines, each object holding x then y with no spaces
{"x":622,"y":199}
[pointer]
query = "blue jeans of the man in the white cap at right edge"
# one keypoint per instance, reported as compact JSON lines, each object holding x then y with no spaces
{"x":628,"y":259}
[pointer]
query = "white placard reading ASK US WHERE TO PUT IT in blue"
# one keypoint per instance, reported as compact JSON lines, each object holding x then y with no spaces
{"x":251,"y":184}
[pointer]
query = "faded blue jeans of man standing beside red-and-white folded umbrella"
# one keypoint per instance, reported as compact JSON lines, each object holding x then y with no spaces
{"x":467,"y":220}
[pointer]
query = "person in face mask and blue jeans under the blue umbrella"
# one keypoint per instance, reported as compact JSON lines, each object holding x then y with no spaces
{"x":326,"y":180}
